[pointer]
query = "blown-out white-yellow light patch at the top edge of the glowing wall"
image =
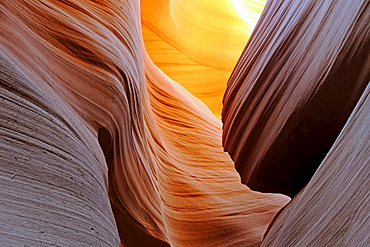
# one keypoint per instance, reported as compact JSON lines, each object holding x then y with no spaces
{"x":249,"y":10}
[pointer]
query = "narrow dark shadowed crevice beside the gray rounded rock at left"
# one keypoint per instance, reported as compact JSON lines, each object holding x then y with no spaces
{"x":131,"y":233}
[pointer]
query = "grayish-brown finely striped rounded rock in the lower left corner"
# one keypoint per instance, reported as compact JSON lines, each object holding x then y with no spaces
{"x":52,"y":182}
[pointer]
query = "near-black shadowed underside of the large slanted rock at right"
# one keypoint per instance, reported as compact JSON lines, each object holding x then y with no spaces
{"x":305,"y":139}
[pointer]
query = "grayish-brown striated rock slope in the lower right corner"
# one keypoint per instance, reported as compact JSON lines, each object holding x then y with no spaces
{"x":333,"y":209}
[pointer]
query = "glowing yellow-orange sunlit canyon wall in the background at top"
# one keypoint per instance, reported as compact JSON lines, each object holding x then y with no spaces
{"x":197,"y":42}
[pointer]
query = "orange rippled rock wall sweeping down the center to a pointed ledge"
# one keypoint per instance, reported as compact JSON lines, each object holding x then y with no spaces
{"x":202,"y":194}
